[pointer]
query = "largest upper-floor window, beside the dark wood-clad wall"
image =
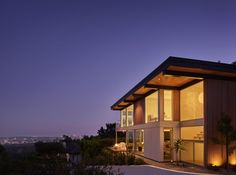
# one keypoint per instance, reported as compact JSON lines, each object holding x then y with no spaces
{"x":191,"y":102}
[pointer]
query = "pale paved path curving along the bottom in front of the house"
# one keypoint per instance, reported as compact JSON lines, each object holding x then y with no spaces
{"x":151,"y":170}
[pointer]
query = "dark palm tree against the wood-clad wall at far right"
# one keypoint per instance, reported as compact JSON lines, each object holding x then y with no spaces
{"x":228,"y":132}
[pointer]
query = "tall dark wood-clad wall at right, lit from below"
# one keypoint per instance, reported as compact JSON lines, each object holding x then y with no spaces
{"x":219,"y":96}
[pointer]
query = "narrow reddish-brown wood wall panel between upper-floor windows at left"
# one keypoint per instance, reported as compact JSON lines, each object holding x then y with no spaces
{"x":139,"y":112}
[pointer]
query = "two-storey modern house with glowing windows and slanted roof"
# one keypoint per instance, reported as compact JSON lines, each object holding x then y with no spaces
{"x":182,"y":98}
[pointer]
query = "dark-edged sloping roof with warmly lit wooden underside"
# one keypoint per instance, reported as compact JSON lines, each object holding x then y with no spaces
{"x":176,"y":73}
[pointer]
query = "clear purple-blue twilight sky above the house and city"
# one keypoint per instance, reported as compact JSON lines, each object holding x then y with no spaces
{"x":64,"y":63}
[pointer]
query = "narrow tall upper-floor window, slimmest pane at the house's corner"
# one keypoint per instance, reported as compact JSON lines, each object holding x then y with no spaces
{"x":168,"y":103}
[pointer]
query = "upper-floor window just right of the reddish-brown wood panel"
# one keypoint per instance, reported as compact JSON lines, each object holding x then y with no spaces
{"x":151,"y":107}
